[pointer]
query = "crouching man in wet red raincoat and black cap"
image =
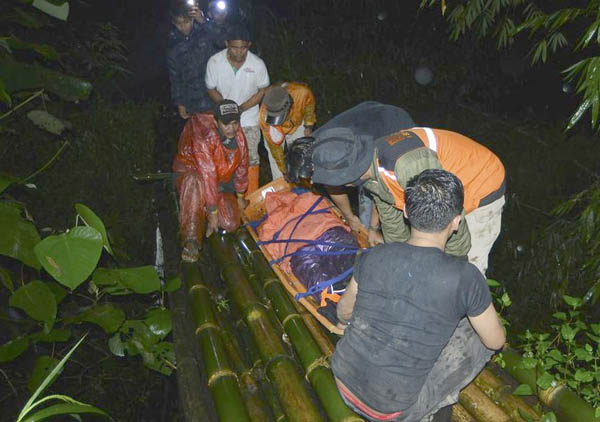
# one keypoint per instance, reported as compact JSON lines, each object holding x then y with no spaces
{"x":212,"y":170}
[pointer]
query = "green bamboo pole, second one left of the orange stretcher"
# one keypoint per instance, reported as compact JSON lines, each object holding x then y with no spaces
{"x":280,"y":368}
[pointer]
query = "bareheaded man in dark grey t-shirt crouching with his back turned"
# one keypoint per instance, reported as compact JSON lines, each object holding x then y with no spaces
{"x":408,"y":348}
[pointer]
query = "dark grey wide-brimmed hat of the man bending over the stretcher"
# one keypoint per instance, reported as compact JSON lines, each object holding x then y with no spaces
{"x":338,"y":161}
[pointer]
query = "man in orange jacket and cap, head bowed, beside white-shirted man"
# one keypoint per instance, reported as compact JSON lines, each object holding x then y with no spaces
{"x":286,"y":114}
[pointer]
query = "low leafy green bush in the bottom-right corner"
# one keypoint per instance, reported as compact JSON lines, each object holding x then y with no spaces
{"x":569,"y":353}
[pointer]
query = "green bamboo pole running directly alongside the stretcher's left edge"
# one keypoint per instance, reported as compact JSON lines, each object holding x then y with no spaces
{"x":310,"y":354}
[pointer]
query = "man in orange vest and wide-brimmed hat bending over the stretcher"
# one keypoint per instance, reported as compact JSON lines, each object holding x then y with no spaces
{"x":343,"y":157}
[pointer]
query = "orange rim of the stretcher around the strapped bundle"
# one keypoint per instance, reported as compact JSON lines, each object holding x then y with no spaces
{"x":255,"y":211}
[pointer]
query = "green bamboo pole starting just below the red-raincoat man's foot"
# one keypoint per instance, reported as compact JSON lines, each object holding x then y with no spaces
{"x":221,"y":378}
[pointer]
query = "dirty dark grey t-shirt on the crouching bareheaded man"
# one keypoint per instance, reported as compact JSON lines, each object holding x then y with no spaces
{"x":410,"y":299}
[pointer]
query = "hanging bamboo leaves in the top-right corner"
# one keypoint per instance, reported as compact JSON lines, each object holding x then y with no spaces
{"x":551,"y":26}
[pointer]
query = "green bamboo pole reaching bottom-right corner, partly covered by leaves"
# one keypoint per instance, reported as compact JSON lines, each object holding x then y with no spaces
{"x":567,"y":405}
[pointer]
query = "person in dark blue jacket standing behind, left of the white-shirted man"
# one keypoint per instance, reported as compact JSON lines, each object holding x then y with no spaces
{"x":190,"y":45}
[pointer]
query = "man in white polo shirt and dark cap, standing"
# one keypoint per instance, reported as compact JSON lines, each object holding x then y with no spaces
{"x":239,"y":75}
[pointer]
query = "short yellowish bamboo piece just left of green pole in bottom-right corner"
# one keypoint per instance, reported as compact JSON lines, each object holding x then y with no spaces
{"x":501,"y":394}
